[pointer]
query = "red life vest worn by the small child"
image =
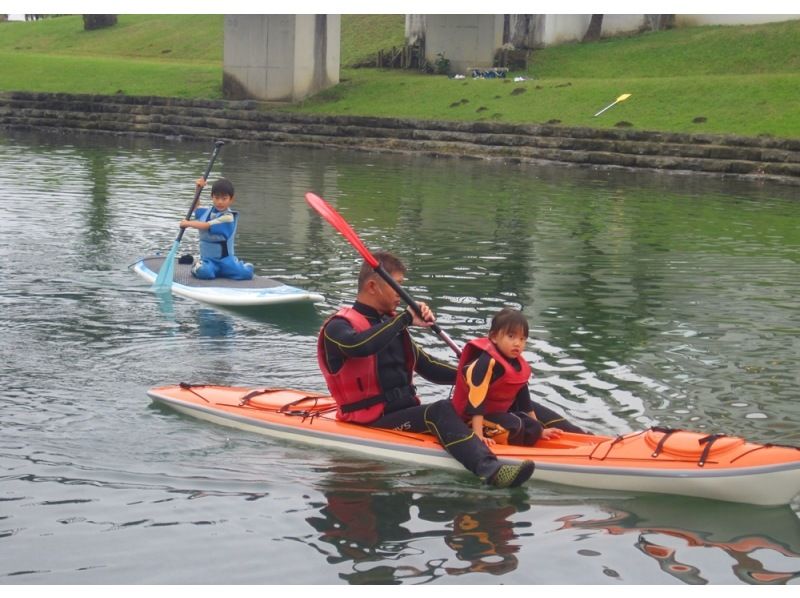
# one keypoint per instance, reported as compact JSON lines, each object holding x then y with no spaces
{"x":501,"y":392}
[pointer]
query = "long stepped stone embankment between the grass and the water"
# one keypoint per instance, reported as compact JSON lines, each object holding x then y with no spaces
{"x":756,"y":158}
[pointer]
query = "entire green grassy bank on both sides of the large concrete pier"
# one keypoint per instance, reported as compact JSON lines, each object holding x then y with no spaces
{"x":740,"y":80}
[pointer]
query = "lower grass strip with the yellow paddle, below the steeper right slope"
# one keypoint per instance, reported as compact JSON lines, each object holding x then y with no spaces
{"x":756,"y":105}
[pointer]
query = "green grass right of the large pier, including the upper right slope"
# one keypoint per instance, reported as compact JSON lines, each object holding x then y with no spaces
{"x":739,"y":80}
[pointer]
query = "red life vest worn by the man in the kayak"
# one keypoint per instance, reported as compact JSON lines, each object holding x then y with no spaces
{"x":357,"y":380}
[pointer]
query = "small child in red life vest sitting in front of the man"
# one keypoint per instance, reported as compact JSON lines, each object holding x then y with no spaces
{"x":492,"y":387}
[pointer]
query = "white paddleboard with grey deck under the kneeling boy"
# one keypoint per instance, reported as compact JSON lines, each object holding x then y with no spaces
{"x":224,"y":291}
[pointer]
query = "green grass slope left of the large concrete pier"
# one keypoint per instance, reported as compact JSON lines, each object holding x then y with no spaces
{"x":164,"y":55}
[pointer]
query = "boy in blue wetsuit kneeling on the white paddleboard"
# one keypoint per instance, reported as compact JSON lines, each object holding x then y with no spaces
{"x":217,"y":228}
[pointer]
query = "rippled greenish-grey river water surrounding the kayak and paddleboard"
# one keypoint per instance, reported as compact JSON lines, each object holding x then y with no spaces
{"x":653,"y":299}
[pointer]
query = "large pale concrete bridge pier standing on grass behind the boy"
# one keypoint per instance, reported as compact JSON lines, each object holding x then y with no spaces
{"x":281,"y":58}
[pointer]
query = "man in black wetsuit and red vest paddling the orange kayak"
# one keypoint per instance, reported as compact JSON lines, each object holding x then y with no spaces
{"x":368,"y":360}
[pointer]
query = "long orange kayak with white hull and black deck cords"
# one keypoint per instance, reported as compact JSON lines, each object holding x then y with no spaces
{"x":660,"y":460}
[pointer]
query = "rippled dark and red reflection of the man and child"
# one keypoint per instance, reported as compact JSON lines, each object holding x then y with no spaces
{"x":372,"y":528}
